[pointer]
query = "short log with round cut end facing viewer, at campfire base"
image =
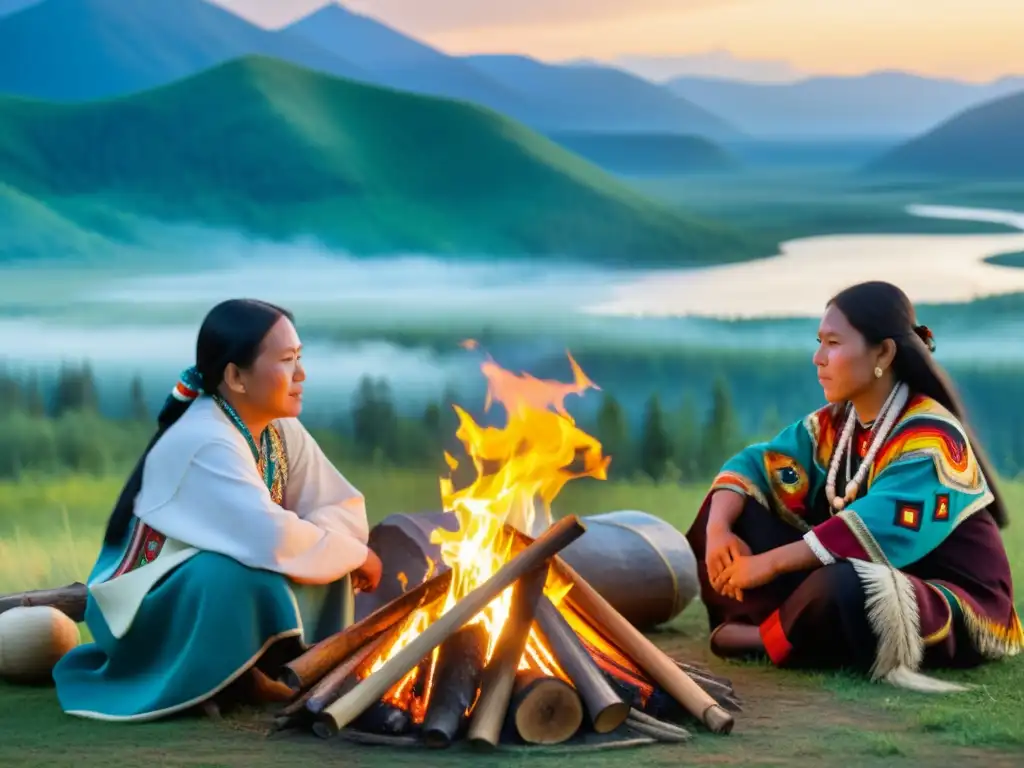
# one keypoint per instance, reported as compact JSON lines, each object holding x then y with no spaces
{"x":545,"y":710}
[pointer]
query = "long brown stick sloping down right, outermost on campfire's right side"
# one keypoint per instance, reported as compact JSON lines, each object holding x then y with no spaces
{"x":648,"y":656}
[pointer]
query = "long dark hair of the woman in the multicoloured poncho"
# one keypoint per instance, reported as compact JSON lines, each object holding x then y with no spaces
{"x":881,"y":311}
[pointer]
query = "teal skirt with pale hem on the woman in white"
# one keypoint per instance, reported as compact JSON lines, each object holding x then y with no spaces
{"x":201,"y":628}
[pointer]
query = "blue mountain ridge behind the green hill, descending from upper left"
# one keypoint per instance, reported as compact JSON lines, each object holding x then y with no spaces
{"x":76,"y":51}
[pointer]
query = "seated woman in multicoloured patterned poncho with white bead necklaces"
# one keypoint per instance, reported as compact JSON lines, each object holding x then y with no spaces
{"x":866,"y":536}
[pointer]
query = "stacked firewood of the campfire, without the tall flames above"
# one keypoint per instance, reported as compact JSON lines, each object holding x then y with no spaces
{"x":615,"y":681}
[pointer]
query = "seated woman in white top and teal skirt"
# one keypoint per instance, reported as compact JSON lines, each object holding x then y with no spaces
{"x":234,"y":544}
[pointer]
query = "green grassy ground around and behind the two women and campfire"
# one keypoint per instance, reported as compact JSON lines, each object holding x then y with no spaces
{"x":50,"y":532}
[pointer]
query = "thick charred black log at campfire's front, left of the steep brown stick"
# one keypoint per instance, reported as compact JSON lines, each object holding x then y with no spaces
{"x":460,"y":664}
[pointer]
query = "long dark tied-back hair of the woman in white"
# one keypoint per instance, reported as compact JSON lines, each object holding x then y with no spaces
{"x":232,"y":332}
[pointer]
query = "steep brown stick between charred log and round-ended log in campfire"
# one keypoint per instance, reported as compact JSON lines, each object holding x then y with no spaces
{"x":500,"y":675}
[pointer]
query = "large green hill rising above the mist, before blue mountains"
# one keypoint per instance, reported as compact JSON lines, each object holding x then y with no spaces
{"x":301,"y":154}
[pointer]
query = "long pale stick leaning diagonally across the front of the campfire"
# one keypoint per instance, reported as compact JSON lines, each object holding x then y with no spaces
{"x":347,"y":709}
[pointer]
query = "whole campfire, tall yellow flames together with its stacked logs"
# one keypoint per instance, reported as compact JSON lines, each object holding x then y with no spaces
{"x":503,"y":643}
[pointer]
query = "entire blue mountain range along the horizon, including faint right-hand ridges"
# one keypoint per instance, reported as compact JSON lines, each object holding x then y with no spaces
{"x":72,"y":51}
